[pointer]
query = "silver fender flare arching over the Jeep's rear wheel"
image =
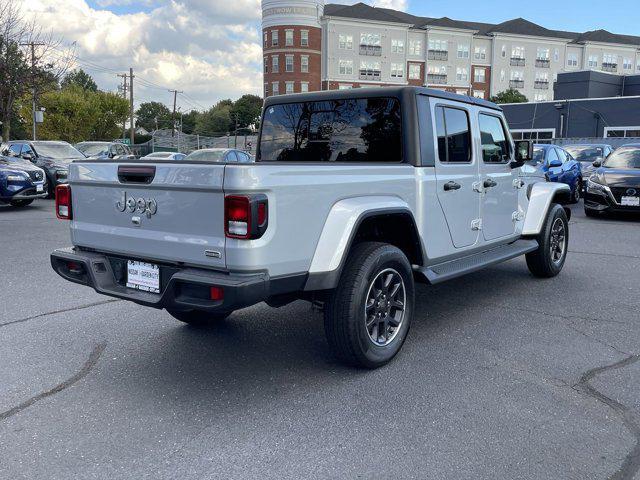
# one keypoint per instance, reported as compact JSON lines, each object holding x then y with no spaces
{"x":338,"y":232}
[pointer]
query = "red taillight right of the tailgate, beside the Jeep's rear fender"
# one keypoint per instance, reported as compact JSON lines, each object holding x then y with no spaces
{"x":245,"y":216}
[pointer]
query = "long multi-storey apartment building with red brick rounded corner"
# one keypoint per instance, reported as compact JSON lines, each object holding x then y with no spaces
{"x":310,"y":46}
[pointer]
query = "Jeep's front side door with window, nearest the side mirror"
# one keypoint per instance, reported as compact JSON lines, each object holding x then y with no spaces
{"x":500,"y":191}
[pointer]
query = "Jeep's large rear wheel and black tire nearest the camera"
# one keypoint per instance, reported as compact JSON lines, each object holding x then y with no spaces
{"x":357,"y":330}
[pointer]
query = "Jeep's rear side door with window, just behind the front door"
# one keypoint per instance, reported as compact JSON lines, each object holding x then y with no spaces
{"x":457,"y":174}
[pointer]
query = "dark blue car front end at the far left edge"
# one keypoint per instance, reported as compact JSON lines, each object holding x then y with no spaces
{"x":20,"y":182}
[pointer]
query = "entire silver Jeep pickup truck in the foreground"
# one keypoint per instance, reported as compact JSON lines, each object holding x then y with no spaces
{"x":354,"y":196}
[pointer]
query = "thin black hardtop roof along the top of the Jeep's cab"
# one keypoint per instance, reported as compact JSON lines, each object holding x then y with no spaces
{"x":397,"y":92}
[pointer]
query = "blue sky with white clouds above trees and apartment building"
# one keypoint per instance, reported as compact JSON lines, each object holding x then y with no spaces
{"x":211,"y":49}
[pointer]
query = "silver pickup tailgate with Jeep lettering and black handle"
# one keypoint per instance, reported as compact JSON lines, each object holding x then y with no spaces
{"x":166,"y":211}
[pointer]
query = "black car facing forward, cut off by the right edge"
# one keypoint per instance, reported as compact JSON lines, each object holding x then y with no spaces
{"x":615,"y":185}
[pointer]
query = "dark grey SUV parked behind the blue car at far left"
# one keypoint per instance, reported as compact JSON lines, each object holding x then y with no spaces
{"x":53,"y":157}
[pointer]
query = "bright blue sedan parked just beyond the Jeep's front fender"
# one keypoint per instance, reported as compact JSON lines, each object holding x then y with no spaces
{"x":559,"y":166}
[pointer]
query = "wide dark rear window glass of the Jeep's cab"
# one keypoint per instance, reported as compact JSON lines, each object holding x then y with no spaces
{"x":343,"y":130}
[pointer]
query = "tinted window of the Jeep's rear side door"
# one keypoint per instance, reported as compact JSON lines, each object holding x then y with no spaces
{"x":456,"y":141}
